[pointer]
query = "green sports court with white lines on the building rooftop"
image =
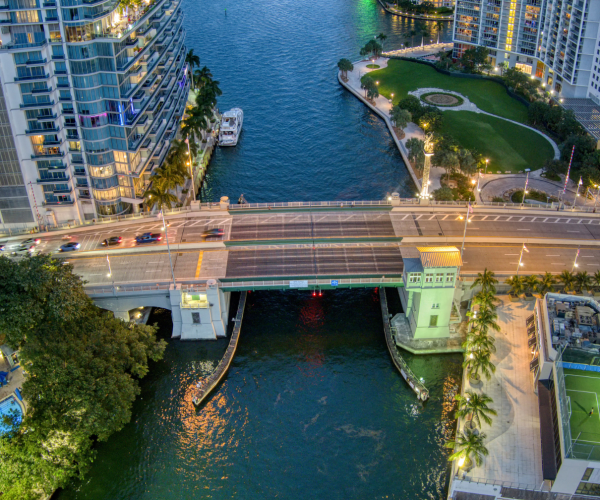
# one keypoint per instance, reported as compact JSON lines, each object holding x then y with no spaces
{"x":583,"y":390}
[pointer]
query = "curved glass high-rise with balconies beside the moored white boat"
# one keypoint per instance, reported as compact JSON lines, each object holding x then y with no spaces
{"x":95,"y":92}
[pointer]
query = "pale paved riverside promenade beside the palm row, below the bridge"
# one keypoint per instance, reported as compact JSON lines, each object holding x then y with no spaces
{"x":513,"y":440}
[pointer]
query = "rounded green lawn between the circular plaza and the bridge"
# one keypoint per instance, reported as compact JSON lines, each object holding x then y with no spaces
{"x":507,"y":145}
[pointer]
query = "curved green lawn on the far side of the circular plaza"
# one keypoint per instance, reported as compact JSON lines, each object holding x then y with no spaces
{"x":400,"y":77}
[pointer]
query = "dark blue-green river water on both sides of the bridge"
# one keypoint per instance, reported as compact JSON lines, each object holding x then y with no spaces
{"x":312,"y":407}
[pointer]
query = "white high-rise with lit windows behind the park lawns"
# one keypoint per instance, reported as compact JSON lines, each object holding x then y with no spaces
{"x":556,"y":41}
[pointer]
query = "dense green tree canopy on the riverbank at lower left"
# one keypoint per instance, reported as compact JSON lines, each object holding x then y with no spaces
{"x":83,"y":368}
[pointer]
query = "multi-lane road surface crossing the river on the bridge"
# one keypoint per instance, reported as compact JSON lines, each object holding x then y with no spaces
{"x":326,"y":243}
